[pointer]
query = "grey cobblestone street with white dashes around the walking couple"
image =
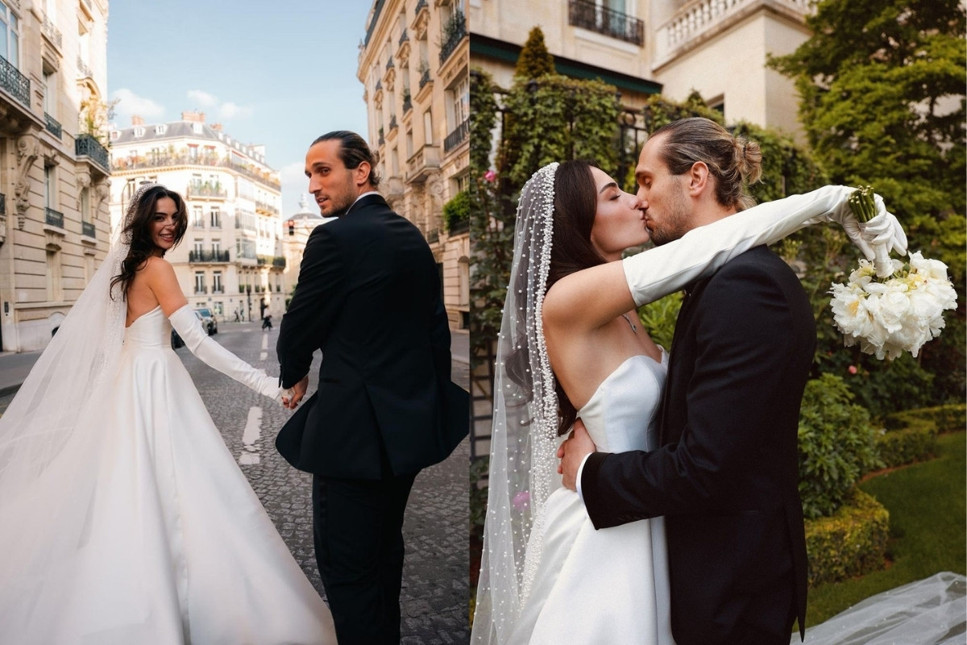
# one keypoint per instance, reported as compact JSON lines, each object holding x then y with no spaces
{"x":435,"y":585}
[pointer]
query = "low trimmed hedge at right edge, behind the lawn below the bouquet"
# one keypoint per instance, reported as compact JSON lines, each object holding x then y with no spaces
{"x":911,"y":435}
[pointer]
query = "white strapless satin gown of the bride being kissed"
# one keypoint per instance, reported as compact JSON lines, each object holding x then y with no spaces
{"x":609,"y":586}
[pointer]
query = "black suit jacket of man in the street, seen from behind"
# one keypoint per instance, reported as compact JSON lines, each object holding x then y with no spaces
{"x":369,"y":296}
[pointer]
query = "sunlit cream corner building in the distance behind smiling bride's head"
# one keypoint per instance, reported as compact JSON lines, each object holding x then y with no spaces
{"x":231,"y":259}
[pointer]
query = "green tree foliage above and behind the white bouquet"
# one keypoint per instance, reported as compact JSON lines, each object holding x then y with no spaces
{"x":882,"y":86}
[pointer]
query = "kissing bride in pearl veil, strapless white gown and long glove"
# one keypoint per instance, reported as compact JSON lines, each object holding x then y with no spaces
{"x":570,"y":347}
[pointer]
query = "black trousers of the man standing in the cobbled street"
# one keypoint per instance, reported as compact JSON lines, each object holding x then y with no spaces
{"x":359,"y":549}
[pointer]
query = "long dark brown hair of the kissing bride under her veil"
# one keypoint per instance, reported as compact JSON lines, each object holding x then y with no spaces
{"x":575,"y":205}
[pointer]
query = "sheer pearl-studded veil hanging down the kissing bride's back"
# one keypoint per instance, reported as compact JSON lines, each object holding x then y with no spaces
{"x":523,"y":462}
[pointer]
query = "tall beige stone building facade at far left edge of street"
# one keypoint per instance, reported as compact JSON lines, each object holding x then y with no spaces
{"x":54,"y":167}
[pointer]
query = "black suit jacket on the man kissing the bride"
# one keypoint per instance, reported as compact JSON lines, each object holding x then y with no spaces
{"x":726,"y":474}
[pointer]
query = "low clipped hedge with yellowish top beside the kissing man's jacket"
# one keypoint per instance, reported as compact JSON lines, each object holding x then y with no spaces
{"x":850,"y":543}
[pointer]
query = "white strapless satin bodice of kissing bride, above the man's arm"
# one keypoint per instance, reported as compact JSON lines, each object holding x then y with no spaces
{"x":621,"y":411}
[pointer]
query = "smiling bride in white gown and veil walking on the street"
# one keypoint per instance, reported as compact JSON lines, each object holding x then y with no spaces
{"x":123,"y":516}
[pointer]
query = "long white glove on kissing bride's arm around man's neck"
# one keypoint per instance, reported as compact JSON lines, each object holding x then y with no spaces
{"x":669,"y":267}
